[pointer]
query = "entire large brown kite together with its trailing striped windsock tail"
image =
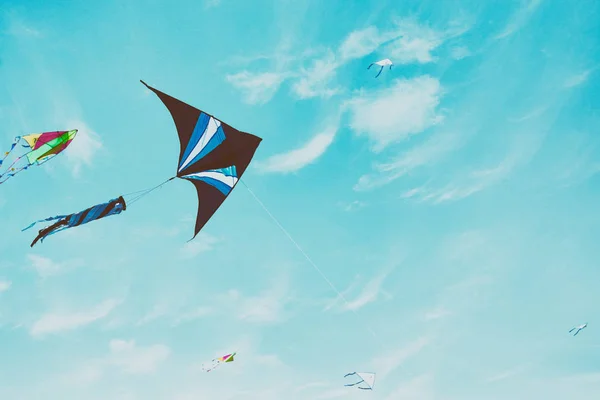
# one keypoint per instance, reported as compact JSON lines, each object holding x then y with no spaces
{"x":213,"y":157}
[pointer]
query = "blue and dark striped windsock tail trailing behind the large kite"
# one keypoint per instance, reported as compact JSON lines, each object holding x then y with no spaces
{"x":112,"y":207}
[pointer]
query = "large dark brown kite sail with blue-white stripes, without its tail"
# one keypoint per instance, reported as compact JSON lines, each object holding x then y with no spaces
{"x":213,"y":155}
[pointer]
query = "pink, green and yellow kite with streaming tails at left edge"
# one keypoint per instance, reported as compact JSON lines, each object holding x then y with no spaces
{"x":41,"y":148}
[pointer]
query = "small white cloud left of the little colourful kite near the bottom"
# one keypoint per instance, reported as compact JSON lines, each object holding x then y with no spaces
{"x":135,"y":360}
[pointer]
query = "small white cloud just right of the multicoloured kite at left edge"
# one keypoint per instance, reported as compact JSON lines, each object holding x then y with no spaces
{"x":83,"y":148}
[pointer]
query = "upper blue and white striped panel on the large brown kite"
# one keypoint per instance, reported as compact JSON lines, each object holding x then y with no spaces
{"x":207,"y":135}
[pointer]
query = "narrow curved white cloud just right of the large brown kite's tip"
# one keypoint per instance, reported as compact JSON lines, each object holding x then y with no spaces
{"x":297,"y":159}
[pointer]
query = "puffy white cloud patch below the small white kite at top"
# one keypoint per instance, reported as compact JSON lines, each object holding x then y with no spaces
{"x":408,"y":107}
